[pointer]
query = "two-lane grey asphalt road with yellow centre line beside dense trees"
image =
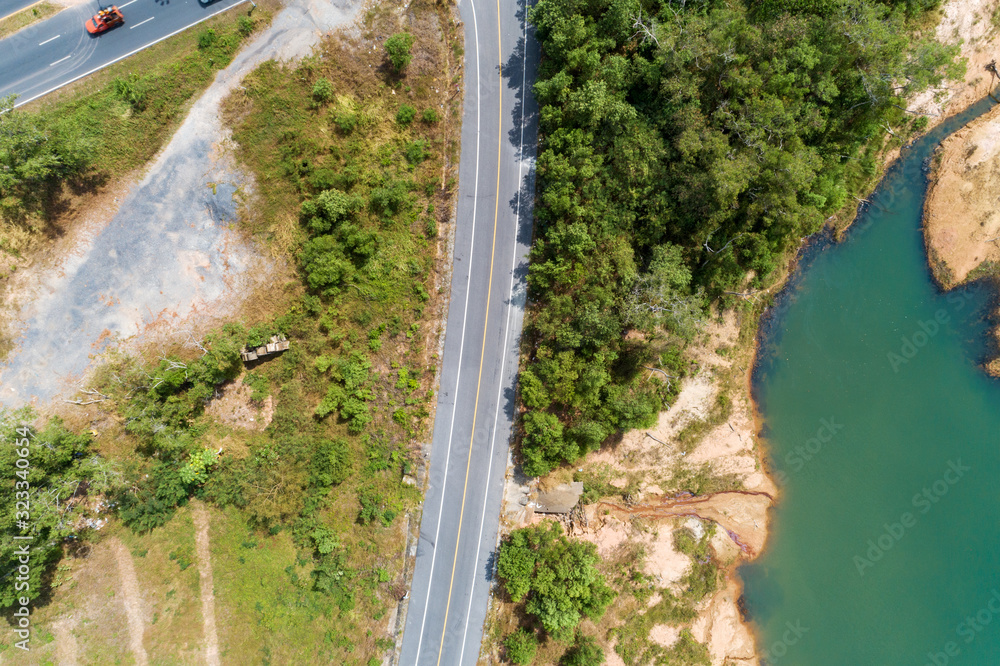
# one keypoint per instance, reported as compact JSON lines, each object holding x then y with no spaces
{"x":472,"y":428}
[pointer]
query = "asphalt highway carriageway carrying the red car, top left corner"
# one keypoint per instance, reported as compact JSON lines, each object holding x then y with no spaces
{"x":43,"y":57}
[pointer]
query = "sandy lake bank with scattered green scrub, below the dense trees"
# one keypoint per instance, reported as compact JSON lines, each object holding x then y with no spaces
{"x":697,"y":472}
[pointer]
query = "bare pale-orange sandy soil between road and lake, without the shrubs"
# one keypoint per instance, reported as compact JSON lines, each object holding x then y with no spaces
{"x":741,"y":516}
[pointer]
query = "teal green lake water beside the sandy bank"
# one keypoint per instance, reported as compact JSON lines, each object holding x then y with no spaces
{"x":884,"y":434}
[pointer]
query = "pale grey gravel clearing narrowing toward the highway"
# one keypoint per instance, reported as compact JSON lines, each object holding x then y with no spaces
{"x":167,"y":260}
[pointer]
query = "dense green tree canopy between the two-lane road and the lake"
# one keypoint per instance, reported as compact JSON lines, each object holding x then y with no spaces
{"x":685,"y":147}
